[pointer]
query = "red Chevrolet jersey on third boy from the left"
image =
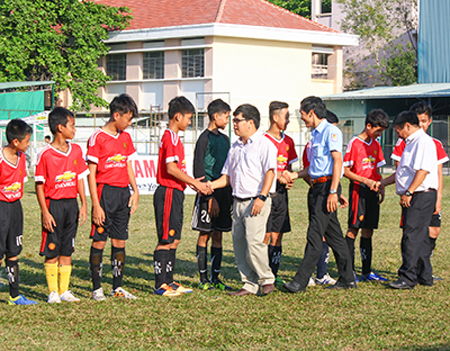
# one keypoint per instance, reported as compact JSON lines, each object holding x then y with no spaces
{"x":111,"y":154}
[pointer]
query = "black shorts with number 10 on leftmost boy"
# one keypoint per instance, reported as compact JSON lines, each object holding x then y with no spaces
{"x":11,"y":228}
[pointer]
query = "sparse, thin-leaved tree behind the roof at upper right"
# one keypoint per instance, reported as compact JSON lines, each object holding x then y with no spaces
{"x":385,"y":30}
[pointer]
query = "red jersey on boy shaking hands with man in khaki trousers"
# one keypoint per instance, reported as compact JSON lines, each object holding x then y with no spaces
{"x":171,"y":149}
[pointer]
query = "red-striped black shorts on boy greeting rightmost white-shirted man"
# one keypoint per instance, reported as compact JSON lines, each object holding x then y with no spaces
{"x":364,"y":210}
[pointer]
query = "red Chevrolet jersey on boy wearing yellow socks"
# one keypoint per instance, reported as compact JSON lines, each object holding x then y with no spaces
{"x":60,"y":171}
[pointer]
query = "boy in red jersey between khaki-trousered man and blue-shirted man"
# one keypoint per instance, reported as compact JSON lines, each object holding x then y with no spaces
{"x":279,"y":222}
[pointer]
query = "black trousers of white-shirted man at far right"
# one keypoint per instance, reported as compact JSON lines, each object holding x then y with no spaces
{"x":416,"y":267}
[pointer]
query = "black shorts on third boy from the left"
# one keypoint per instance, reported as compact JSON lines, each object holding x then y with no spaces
{"x":114,"y":201}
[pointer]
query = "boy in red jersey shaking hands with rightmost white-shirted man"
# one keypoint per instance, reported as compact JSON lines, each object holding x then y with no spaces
{"x":362,"y":161}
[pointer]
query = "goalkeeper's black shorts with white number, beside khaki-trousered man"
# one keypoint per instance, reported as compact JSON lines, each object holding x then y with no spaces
{"x":202,"y":221}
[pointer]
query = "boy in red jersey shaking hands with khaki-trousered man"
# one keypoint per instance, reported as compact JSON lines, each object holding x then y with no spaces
{"x":169,"y":197}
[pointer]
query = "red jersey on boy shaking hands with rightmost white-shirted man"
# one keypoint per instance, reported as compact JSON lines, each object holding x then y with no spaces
{"x":364,"y":158}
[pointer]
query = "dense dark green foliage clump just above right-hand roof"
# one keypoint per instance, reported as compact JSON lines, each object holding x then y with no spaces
{"x":401,"y":67}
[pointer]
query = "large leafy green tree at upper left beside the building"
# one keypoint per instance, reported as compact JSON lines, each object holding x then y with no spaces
{"x":58,"y":40}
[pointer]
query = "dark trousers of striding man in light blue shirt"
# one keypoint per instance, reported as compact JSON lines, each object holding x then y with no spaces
{"x":323,"y":223}
